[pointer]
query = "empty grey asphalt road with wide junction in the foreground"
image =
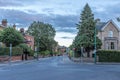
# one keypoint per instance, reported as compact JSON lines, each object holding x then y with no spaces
{"x":58,"y":68}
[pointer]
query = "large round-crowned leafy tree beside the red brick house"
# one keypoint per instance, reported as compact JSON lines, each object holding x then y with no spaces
{"x":44,"y":35}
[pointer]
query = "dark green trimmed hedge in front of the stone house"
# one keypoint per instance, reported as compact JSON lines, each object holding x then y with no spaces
{"x":108,"y":56}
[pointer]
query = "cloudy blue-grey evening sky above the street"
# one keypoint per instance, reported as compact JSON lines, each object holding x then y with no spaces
{"x":62,"y":14}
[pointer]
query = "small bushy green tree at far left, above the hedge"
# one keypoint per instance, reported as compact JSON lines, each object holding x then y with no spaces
{"x":10,"y":35}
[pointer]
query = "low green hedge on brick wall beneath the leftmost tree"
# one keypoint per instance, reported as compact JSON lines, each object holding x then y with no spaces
{"x":15,"y":51}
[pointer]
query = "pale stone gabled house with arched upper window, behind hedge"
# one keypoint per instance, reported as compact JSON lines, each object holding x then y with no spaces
{"x":109,"y":34}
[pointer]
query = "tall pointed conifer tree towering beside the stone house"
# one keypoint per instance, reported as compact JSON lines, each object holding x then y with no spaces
{"x":86,"y":31}
